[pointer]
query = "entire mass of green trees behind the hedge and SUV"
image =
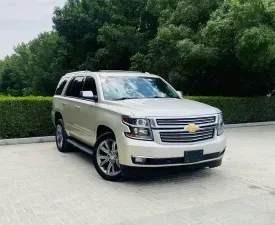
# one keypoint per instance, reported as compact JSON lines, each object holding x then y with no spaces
{"x":204,"y":47}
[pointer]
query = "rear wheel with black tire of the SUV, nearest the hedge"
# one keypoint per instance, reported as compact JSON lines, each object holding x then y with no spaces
{"x":62,"y":146}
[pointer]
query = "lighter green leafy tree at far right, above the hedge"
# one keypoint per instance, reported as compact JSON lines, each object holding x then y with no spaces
{"x":242,"y":32}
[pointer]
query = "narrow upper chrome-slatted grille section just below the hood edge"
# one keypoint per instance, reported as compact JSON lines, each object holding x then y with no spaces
{"x":186,"y":121}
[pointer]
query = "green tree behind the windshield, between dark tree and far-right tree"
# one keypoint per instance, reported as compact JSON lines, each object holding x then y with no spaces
{"x":176,"y":52}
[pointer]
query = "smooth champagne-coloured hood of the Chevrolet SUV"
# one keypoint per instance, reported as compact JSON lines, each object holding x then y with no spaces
{"x":165,"y":107}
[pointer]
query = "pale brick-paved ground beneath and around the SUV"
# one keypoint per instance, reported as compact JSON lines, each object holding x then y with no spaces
{"x":39,"y":185}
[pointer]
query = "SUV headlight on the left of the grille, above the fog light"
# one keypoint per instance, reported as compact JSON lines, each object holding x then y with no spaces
{"x":139,"y":128}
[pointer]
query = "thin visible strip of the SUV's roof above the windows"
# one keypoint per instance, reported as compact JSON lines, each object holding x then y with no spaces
{"x":110,"y":73}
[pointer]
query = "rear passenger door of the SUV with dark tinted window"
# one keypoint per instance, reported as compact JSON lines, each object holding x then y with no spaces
{"x":71,"y":114}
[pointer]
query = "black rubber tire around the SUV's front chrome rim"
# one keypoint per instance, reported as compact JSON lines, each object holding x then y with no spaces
{"x":105,"y":137}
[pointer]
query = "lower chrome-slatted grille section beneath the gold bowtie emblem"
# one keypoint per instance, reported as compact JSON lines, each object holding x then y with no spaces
{"x":186,"y":137}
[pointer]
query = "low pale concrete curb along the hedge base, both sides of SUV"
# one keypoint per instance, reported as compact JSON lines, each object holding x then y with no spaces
{"x":33,"y":140}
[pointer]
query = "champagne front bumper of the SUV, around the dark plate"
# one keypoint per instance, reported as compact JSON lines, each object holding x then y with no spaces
{"x":164,"y":155}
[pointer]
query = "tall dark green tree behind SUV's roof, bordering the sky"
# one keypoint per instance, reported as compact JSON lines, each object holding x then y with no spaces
{"x":103,"y":34}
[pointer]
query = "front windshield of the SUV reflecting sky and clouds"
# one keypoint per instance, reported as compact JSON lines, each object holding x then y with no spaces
{"x":131,"y":87}
